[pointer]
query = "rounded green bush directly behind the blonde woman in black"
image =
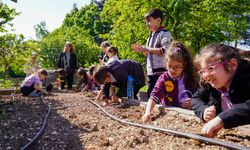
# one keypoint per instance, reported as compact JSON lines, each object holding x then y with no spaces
{"x":53,"y":44}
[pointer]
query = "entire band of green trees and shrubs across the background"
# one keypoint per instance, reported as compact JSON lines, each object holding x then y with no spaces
{"x":196,"y":23}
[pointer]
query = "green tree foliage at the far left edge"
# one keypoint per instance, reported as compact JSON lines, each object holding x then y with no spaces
{"x":13,"y":49}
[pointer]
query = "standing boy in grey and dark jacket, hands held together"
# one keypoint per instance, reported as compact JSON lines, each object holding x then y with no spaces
{"x":158,"y":42}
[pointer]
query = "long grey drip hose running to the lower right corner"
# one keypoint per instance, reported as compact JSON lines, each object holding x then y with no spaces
{"x":182,"y":134}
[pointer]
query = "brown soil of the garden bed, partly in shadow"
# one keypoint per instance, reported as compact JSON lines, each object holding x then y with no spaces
{"x":74,"y":123}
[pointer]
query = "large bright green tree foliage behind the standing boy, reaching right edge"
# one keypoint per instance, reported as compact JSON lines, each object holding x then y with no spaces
{"x":196,"y":23}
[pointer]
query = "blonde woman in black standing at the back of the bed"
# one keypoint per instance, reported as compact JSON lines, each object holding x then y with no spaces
{"x":68,"y":61}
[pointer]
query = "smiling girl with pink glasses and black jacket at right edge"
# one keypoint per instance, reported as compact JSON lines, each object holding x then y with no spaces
{"x":223,"y":100}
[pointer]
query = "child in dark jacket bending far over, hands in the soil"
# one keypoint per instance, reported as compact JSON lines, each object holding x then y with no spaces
{"x":117,"y":73}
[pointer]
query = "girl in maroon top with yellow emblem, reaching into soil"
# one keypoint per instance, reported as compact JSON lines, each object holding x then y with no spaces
{"x":175,"y":86}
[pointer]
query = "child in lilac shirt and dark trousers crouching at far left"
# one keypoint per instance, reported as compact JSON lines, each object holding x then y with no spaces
{"x":32,"y":85}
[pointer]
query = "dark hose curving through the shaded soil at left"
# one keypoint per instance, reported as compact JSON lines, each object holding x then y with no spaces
{"x":33,"y":140}
